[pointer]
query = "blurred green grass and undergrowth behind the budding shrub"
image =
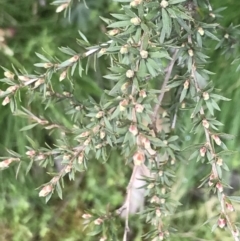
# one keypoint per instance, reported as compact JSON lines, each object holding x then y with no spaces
{"x":31,"y":26}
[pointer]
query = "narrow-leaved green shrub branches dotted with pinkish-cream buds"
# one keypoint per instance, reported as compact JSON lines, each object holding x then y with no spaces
{"x":150,"y":44}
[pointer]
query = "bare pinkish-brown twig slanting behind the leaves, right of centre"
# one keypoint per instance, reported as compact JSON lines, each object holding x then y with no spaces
{"x":161,"y":95}
